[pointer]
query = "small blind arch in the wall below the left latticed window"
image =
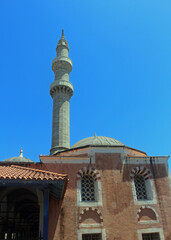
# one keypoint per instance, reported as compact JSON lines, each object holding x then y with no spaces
{"x":90,"y":213}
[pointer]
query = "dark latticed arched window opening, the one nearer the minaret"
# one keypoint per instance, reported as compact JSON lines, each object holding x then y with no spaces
{"x":88,"y":188}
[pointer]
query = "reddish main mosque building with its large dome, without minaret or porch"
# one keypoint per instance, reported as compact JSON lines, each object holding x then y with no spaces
{"x":114,"y":192}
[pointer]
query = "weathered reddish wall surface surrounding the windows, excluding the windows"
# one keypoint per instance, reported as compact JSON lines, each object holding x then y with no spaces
{"x":119,"y":211}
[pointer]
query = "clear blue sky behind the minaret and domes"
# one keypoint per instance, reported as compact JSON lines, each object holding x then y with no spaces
{"x":121,"y":53}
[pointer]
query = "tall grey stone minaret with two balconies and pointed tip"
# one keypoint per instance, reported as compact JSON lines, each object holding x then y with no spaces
{"x":61,"y":91}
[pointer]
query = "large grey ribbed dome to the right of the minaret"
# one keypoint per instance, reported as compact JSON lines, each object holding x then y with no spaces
{"x":97,"y":141}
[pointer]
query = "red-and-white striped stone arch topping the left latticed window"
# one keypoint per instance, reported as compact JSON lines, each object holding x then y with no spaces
{"x":90,"y":171}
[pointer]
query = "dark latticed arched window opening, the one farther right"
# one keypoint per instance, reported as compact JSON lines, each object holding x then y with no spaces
{"x":140,"y":187}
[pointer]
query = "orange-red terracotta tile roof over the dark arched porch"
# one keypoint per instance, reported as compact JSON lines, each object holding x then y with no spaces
{"x":24,"y":173}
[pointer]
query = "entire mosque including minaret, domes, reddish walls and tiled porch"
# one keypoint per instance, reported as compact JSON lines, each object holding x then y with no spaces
{"x":98,"y":189}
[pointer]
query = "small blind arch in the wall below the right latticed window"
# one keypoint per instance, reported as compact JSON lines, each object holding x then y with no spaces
{"x":147,"y":214}
